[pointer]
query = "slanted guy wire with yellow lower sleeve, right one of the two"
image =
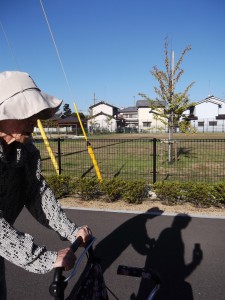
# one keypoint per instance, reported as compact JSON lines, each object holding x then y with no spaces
{"x":89,"y":147}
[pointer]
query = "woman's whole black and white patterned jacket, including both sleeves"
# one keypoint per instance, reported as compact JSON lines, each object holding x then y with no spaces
{"x":21,"y":184}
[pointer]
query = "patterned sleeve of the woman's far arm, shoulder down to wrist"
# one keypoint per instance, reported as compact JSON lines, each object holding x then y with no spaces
{"x":42,"y":203}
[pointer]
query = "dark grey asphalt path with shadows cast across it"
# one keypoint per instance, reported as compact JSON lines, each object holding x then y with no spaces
{"x":123,"y":238}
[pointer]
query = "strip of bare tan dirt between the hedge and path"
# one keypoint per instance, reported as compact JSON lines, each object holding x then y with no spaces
{"x":146,"y":205}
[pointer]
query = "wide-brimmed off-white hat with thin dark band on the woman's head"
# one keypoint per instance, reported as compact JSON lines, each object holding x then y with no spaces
{"x":20,"y":98}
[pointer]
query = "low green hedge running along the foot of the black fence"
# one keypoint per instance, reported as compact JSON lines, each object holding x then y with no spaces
{"x":136,"y":191}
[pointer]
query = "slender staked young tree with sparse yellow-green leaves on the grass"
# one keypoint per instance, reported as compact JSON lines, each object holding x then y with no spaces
{"x":174,"y":104}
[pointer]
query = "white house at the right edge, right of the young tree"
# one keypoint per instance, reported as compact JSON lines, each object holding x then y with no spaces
{"x":207,"y":115}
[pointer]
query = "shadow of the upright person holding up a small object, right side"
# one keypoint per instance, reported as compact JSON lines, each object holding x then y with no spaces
{"x":167,"y":258}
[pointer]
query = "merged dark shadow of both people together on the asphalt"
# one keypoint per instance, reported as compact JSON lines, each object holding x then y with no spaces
{"x":164,"y":255}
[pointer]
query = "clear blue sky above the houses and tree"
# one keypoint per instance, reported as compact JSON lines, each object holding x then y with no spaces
{"x":109,"y":47}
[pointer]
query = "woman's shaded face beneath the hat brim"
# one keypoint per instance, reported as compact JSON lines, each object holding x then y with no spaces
{"x":17,"y":130}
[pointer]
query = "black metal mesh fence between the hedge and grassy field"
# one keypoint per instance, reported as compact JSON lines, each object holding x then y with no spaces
{"x":154,"y":160}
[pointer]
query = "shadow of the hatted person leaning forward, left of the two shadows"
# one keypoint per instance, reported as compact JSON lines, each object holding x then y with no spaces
{"x":132,"y":232}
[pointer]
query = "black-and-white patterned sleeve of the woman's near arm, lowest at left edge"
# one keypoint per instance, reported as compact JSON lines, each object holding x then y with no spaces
{"x":18,"y":248}
